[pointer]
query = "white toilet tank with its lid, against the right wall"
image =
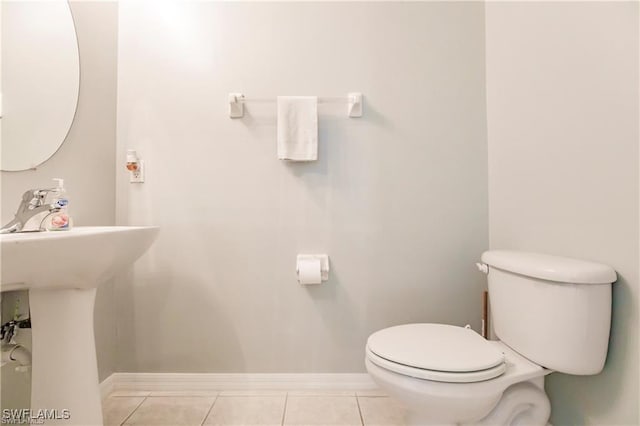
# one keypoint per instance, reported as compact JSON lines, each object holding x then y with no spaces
{"x":555,"y":311}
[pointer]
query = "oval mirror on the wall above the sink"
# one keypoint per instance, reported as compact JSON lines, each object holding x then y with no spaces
{"x":40,"y":80}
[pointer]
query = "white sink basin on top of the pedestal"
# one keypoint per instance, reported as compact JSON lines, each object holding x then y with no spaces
{"x":82,"y":257}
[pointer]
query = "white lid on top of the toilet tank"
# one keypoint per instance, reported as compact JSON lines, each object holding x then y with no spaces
{"x":551,"y":268}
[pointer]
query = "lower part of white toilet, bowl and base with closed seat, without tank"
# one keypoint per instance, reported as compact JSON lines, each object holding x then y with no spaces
{"x":436,"y":371}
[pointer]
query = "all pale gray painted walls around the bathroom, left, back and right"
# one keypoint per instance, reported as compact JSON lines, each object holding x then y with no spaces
{"x":398,"y":198}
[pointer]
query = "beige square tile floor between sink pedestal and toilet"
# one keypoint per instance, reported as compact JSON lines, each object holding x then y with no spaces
{"x":367,"y":408}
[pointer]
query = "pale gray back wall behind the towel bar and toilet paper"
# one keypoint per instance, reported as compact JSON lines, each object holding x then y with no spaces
{"x":398,"y":198}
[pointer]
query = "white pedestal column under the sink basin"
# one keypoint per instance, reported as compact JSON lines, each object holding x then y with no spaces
{"x":64,"y":366}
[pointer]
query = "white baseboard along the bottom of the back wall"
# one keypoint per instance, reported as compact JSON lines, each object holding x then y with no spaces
{"x":216,"y":382}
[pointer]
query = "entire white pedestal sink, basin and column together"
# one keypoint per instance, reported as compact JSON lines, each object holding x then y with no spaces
{"x":62,"y":271}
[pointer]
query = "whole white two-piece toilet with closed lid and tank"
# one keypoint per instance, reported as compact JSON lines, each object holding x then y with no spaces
{"x":549,"y":313}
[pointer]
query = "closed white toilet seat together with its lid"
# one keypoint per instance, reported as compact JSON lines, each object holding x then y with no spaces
{"x":437,"y":352}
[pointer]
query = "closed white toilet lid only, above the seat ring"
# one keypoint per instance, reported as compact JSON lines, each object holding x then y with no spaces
{"x":438,"y":347}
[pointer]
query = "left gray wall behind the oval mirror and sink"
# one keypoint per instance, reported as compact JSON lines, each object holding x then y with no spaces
{"x":86,"y":160}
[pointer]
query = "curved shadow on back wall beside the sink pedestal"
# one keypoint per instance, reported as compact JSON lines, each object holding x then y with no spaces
{"x":206,"y":337}
